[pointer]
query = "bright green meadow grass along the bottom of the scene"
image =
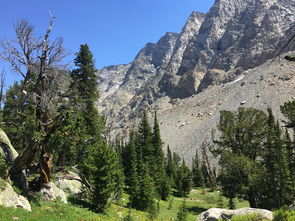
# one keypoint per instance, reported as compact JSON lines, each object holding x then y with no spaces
{"x":197,"y":202}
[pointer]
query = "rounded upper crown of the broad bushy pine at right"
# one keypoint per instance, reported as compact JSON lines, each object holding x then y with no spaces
{"x":242,"y":131}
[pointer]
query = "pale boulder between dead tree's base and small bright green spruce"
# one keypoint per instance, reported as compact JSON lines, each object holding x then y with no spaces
{"x":70,"y":182}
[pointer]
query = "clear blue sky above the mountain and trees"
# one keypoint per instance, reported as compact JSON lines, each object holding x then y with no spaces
{"x":115,"y":30}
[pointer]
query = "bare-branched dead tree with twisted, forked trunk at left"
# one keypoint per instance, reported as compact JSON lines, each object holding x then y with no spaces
{"x":37,"y":56}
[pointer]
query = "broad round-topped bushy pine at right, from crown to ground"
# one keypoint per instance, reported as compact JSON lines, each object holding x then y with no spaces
{"x":243,"y":134}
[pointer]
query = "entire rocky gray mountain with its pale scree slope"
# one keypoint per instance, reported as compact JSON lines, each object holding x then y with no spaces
{"x":220,"y":60}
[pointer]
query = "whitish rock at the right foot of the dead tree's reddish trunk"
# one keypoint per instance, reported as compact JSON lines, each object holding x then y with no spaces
{"x":52,"y":192}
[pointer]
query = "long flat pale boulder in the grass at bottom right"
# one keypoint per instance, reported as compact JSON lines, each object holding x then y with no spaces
{"x":214,"y":214}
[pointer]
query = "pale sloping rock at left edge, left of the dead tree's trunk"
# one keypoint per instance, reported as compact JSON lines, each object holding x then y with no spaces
{"x":6,"y":149}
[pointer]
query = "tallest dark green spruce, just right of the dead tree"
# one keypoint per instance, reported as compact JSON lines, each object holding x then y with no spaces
{"x":84,"y":90}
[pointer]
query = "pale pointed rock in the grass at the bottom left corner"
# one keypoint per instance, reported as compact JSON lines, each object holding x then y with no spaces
{"x":10,"y":198}
